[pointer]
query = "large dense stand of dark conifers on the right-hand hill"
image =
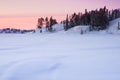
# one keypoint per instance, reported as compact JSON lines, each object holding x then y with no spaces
{"x":96,"y":19}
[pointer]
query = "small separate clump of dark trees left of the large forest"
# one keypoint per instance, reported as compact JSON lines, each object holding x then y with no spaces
{"x":47,"y":22}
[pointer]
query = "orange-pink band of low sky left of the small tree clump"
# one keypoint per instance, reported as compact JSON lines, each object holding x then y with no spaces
{"x":18,"y":23}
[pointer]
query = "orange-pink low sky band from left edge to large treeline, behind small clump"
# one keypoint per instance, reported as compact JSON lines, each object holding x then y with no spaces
{"x":23,"y":22}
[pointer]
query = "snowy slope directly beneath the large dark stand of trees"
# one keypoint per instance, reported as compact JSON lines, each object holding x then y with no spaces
{"x":112,"y":28}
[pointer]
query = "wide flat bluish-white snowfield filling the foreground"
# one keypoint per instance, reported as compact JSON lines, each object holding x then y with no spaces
{"x":60,"y":56}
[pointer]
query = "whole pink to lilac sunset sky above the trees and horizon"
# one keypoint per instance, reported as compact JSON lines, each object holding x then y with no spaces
{"x":25,"y":12}
